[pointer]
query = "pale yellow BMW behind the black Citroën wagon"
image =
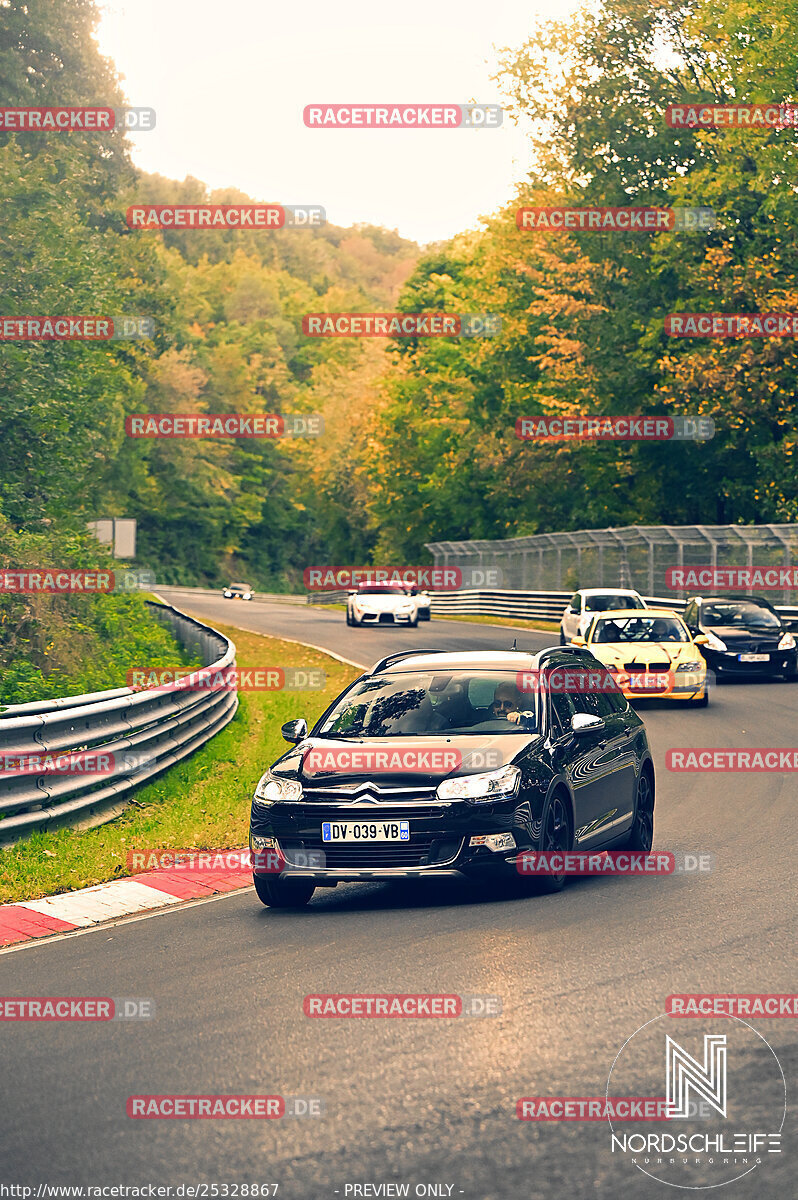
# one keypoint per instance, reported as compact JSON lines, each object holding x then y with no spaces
{"x":651,"y":653}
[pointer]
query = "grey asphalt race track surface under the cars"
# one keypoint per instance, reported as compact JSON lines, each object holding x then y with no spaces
{"x":422,"y":1102}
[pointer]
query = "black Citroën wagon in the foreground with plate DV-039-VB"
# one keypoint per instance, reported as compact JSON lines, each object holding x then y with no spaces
{"x":445,"y":764}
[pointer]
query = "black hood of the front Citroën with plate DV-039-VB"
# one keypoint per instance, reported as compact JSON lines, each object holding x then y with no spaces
{"x":416,"y":761}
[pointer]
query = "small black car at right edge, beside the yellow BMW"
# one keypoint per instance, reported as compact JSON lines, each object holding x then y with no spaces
{"x":746,"y":637}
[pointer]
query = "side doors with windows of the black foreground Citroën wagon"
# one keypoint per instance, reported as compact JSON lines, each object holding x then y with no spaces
{"x":610,"y":799}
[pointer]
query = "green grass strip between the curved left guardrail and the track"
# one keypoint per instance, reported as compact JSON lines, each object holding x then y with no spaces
{"x":202,"y":803}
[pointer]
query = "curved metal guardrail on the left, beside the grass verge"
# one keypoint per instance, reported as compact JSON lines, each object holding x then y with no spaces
{"x":142,"y":734}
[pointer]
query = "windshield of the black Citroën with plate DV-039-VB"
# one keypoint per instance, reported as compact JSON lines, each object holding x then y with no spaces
{"x":424,"y":703}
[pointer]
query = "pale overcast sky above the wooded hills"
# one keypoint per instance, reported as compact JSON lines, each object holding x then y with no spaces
{"x":230,"y":81}
